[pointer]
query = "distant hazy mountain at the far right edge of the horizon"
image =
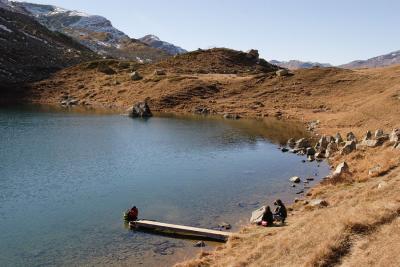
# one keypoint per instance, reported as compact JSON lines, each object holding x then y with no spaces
{"x":375,"y":62}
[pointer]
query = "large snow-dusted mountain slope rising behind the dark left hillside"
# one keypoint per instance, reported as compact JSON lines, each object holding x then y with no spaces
{"x":95,"y":32}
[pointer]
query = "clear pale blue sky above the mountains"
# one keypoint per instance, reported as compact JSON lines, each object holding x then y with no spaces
{"x":334,"y":31}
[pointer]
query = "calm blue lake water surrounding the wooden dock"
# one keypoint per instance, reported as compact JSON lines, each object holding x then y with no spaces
{"x":67,"y":177}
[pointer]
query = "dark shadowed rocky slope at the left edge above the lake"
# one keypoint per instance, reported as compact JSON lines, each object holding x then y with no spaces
{"x":29,"y":51}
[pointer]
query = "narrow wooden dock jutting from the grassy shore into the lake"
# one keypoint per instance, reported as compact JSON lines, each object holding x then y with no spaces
{"x":181,"y":229}
